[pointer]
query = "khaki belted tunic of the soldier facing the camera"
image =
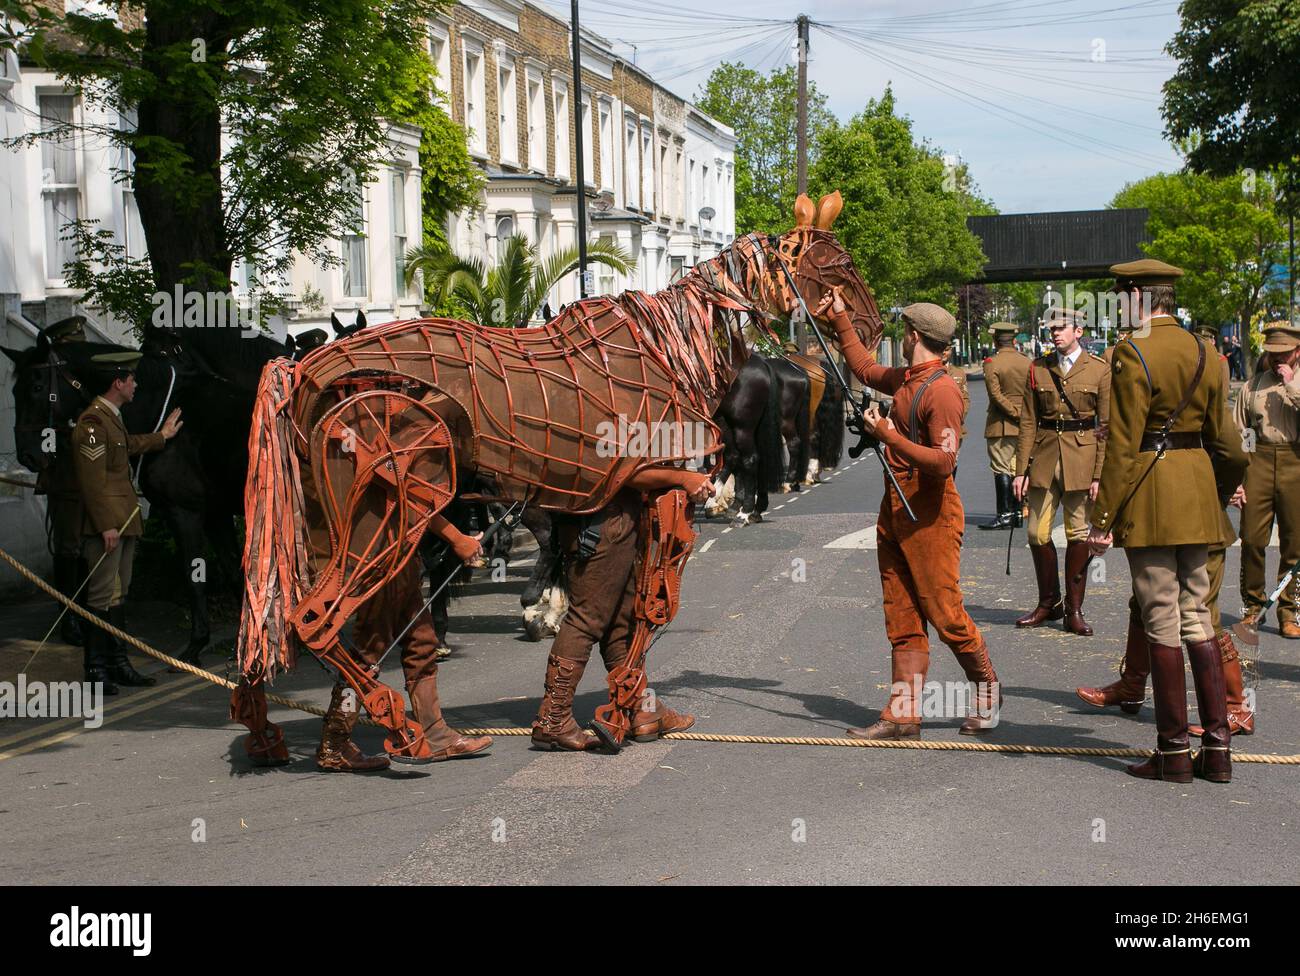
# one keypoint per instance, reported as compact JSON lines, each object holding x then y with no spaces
{"x":1078,"y":453}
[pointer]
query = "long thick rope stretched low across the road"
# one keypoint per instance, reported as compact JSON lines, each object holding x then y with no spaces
{"x":929,"y":745}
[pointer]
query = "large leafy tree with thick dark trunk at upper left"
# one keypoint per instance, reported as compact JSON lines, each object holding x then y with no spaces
{"x":254,"y":122}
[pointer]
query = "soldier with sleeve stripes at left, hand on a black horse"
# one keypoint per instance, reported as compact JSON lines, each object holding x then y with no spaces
{"x":112,"y":522}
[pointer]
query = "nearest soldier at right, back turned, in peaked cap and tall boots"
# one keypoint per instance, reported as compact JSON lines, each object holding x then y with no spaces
{"x":1171,"y":456}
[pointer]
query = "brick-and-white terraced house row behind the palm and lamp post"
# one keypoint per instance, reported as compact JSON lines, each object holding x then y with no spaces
{"x":658,"y":172}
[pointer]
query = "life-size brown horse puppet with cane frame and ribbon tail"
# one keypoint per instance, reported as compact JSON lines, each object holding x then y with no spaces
{"x":366,"y":439}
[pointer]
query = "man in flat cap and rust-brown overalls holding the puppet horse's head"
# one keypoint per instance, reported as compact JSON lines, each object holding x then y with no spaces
{"x":920,"y":561}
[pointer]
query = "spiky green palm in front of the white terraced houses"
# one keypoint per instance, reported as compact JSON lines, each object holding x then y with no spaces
{"x":512,"y":293}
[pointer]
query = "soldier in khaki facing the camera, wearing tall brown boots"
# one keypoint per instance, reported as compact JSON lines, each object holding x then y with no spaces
{"x":1059,"y":465}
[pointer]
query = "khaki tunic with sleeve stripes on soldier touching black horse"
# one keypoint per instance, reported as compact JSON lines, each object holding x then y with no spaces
{"x":102,"y":450}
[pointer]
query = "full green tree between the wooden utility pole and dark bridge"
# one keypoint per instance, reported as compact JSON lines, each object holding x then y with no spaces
{"x":905,"y":207}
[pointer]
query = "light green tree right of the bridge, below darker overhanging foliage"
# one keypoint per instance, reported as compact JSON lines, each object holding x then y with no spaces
{"x":1228,"y":236}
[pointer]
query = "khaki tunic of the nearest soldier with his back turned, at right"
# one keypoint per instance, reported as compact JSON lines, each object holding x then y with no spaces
{"x":1176,"y":501}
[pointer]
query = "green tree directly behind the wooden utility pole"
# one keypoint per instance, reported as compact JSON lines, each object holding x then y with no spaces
{"x":762,"y":110}
